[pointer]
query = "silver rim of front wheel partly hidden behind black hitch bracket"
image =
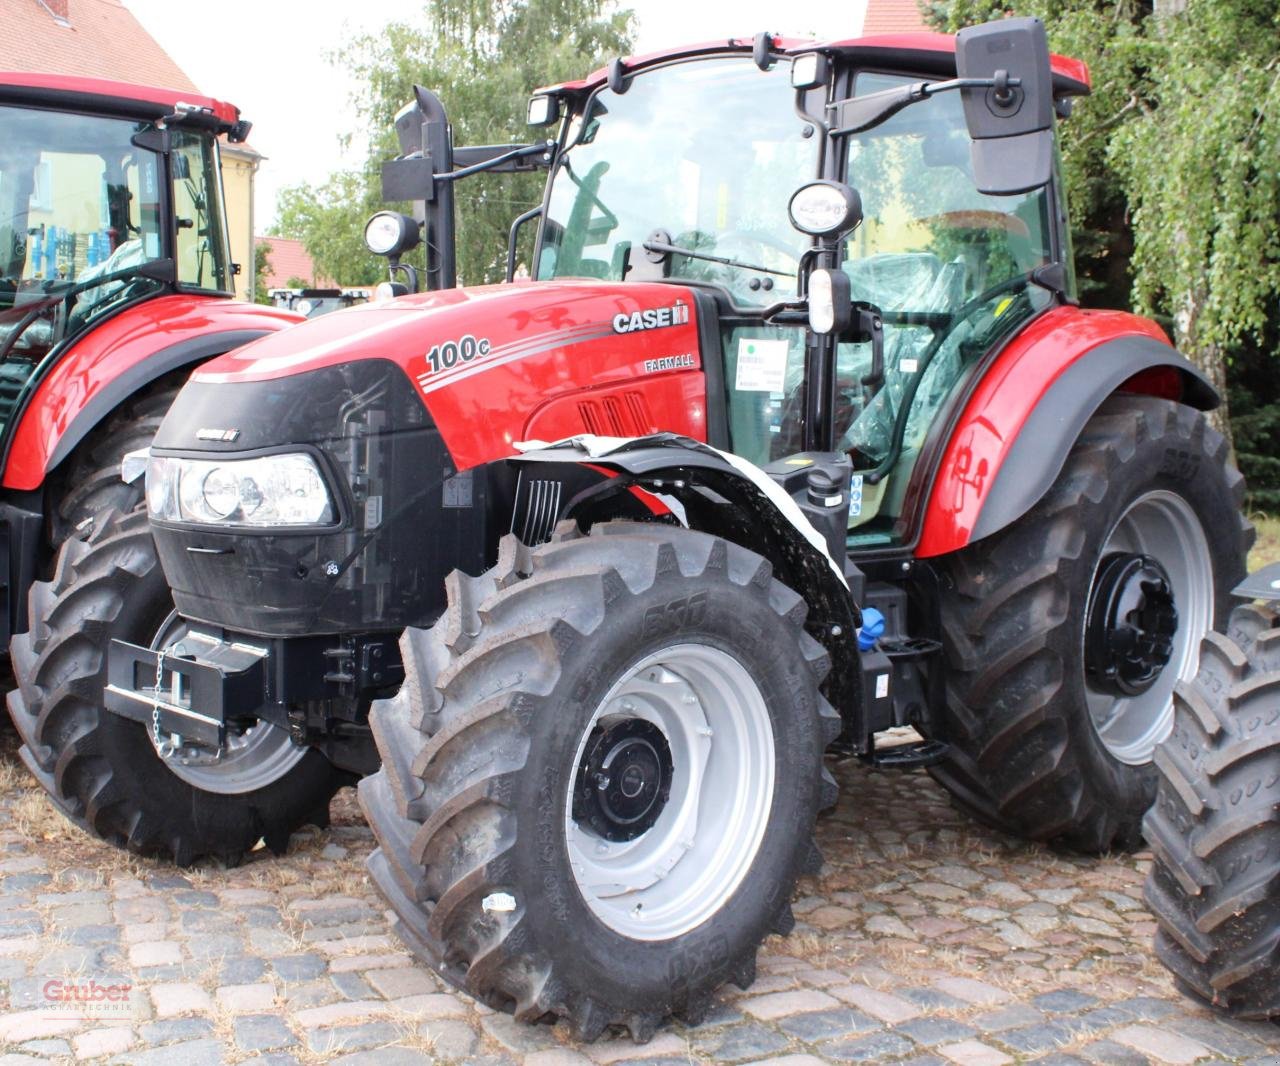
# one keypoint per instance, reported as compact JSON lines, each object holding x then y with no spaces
{"x":254,"y":760}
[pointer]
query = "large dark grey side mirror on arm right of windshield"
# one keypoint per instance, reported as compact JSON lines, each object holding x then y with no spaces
{"x":1012,"y":126}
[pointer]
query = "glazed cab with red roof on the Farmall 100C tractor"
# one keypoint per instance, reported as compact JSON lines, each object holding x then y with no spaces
{"x":683,"y":172}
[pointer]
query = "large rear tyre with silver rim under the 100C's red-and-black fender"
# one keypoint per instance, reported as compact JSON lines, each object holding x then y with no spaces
{"x":1027,"y":753}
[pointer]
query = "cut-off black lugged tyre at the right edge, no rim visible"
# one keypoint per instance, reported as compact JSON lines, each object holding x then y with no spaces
{"x":1215,"y":829}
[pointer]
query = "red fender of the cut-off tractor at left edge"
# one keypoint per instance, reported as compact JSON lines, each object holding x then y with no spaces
{"x":111,"y":353}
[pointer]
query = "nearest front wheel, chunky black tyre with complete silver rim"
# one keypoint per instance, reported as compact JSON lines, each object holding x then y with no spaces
{"x":477,"y":809}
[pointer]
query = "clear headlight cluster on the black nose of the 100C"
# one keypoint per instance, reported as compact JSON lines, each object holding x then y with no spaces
{"x":268,"y":491}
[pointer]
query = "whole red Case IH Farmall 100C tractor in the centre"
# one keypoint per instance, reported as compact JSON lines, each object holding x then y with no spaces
{"x":798,"y":437}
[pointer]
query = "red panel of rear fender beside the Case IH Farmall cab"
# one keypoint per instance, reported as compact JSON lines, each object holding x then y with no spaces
{"x":996,"y":413}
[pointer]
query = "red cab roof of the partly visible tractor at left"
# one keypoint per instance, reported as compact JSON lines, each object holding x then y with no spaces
{"x":145,"y":103}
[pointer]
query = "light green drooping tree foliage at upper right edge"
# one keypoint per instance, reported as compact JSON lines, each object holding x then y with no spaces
{"x":1203,"y":173}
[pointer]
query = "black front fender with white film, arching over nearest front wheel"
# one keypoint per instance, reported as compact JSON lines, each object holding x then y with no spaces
{"x":679,"y":481}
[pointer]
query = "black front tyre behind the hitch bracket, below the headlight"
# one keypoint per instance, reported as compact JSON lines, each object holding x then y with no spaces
{"x":103,"y":771}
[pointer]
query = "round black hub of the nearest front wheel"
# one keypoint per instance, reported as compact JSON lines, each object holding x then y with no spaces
{"x":624,"y":781}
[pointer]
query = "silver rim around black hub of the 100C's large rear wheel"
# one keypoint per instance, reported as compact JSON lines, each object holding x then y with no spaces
{"x":1162,"y":525}
